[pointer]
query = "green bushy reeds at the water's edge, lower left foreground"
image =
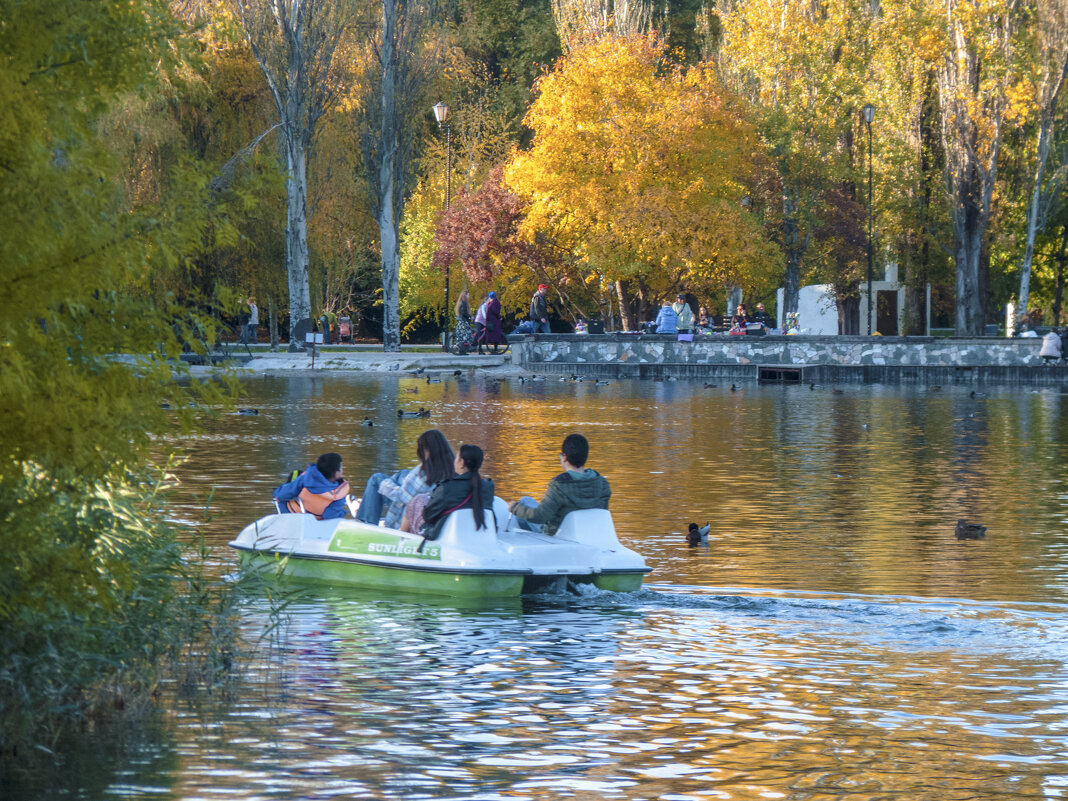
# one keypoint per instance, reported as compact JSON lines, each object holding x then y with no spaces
{"x":100,"y":601}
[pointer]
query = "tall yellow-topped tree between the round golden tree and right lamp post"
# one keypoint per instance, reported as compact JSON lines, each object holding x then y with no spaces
{"x":803,"y":66}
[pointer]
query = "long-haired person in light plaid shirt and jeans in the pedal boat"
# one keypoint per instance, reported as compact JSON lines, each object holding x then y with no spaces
{"x":435,"y":466}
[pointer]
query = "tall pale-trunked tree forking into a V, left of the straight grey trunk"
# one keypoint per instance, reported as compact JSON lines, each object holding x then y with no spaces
{"x":294,"y":42}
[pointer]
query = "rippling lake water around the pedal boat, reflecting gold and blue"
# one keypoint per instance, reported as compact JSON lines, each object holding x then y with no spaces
{"x":834,"y":641}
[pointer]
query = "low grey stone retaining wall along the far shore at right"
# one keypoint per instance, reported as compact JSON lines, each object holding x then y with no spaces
{"x":882,"y":359}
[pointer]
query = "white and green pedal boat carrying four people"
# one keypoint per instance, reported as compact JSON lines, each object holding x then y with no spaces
{"x":462,"y":562}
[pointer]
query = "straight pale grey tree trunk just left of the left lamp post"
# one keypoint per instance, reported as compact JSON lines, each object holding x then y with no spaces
{"x":388,"y":225}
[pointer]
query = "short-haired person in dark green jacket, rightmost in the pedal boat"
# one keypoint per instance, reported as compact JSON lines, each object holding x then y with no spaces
{"x":578,"y":488}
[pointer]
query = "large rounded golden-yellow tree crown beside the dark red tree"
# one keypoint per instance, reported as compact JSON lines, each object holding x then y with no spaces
{"x":642,"y":168}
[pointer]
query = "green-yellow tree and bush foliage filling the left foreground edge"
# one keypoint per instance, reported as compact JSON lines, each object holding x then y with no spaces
{"x":91,"y":589}
